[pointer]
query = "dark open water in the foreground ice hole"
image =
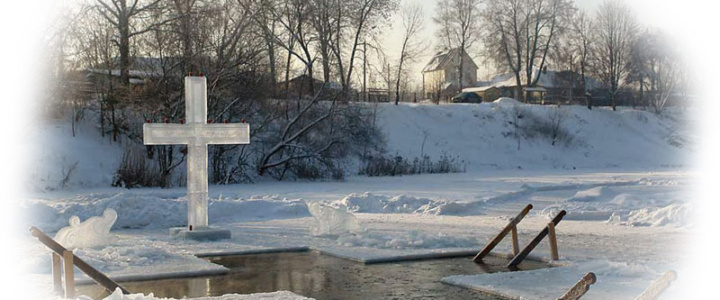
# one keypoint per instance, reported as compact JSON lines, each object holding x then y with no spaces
{"x":325,"y":277}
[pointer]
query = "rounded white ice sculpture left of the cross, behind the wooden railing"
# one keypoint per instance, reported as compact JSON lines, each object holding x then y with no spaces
{"x":95,"y":231}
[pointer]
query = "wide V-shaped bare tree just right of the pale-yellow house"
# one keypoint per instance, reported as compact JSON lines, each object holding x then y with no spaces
{"x":519,"y":35}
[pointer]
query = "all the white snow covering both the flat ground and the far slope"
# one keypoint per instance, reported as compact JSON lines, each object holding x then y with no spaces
{"x":623,"y":178}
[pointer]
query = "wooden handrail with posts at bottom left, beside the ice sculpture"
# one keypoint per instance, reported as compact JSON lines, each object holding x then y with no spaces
{"x":69,"y":259}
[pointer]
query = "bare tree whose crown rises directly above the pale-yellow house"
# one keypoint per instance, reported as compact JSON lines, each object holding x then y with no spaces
{"x":459,"y":27}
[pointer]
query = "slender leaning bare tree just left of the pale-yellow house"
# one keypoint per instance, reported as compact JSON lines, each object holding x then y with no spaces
{"x":412,"y":16}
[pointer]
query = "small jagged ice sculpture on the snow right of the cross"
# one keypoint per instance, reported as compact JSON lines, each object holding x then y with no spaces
{"x":331,"y":220}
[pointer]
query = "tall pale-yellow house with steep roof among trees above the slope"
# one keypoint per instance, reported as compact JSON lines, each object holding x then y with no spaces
{"x":441,"y":76}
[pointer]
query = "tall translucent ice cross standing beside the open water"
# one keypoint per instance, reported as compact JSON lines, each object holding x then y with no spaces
{"x":197,"y":134}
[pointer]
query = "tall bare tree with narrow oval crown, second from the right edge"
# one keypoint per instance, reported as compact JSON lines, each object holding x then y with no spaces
{"x":614,"y":30}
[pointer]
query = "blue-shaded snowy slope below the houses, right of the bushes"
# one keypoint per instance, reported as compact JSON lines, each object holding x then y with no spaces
{"x":485,"y":135}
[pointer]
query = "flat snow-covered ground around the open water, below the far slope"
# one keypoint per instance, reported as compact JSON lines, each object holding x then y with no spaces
{"x":598,"y":235}
